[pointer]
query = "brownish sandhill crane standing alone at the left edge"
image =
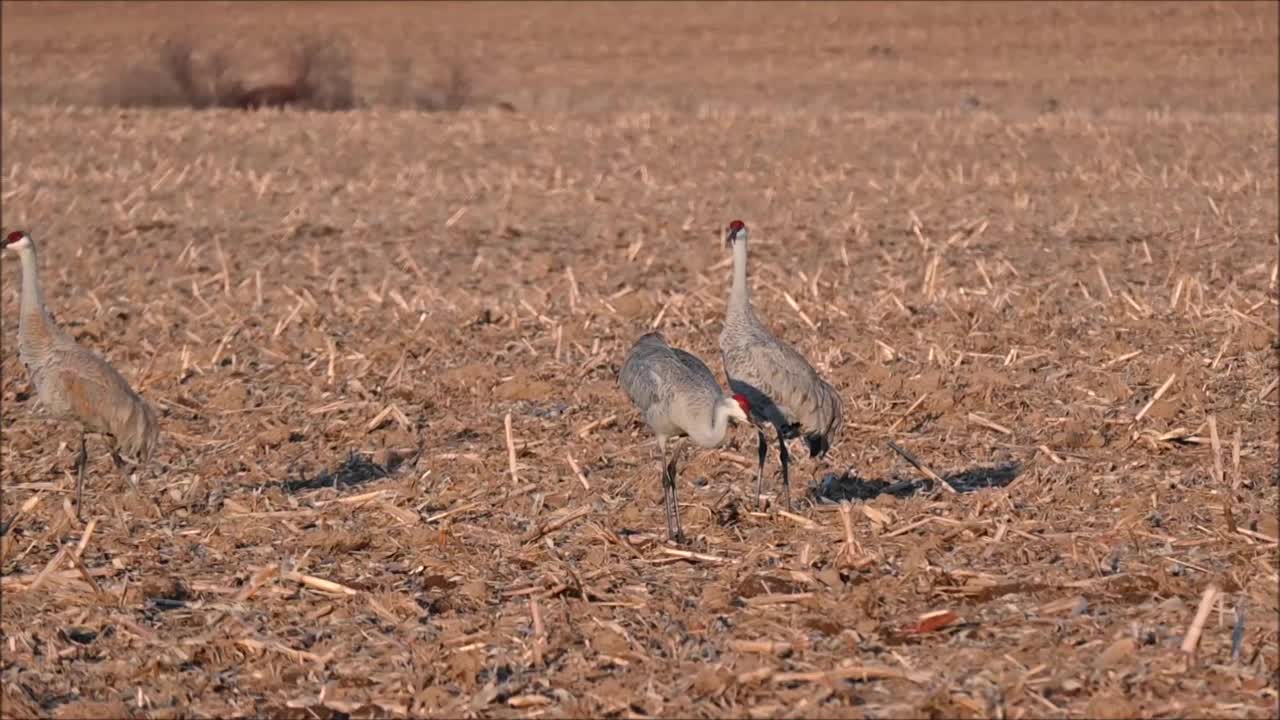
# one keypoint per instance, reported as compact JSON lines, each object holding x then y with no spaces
{"x":75,"y":384}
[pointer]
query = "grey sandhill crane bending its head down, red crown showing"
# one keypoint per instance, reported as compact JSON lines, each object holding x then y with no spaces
{"x":679,"y":397}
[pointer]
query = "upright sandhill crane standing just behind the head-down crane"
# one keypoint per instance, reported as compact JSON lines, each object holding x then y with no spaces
{"x":780,"y":385}
